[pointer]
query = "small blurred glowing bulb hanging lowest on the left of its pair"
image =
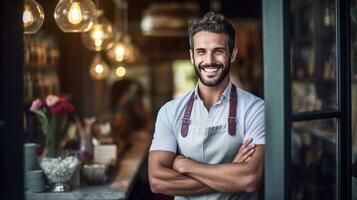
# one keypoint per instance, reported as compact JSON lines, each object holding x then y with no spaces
{"x":99,"y":70}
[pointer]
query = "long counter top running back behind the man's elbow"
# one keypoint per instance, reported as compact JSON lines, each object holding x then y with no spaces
{"x":128,"y":167}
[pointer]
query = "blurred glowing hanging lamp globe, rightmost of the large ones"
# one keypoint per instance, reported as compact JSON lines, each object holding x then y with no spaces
{"x":123,"y":50}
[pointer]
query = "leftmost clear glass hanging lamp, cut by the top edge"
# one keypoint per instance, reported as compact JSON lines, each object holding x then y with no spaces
{"x":32,"y":16}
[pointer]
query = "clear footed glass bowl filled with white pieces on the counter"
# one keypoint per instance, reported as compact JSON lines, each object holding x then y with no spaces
{"x":59,"y":168}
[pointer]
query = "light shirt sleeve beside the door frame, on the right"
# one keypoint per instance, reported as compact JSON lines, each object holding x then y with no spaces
{"x":255,"y":123}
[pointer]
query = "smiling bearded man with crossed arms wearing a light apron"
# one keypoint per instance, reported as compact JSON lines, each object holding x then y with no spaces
{"x":209,"y":144}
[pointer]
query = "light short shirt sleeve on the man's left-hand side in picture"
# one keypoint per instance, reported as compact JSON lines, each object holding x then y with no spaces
{"x":164,"y":138}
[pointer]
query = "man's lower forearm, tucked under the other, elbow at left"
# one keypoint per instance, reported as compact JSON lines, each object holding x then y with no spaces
{"x":171,"y":182}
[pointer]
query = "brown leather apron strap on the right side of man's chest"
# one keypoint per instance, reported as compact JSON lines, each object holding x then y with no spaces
{"x":232,"y":124}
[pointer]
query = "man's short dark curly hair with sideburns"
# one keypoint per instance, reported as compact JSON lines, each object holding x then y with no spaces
{"x":215,"y":23}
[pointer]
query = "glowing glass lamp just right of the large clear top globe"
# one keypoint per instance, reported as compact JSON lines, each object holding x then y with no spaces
{"x":100,"y":36}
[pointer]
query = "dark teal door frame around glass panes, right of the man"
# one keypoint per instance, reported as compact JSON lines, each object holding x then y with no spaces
{"x":277,"y":91}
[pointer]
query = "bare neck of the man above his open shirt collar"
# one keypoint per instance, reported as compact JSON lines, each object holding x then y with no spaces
{"x":211,"y":95}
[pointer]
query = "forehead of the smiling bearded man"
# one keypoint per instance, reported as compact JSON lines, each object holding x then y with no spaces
{"x":205,"y":39}
